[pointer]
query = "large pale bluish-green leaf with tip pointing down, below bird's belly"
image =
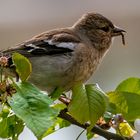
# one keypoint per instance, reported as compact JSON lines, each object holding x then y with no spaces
{"x":34,"y":108}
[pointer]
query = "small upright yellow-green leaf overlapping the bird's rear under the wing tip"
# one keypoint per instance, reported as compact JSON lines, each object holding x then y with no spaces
{"x":23,"y":66}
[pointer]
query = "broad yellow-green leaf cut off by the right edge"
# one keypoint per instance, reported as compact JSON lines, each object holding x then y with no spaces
{"x":126,"y":99}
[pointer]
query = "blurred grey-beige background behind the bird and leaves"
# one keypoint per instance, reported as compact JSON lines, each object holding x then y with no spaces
{"x":22,"y":19}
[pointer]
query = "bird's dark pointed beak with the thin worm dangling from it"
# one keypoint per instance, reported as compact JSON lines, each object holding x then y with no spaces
{"x":118,"y":32}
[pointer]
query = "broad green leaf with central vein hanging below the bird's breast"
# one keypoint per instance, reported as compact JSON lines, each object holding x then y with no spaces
{"x":88,"y":103}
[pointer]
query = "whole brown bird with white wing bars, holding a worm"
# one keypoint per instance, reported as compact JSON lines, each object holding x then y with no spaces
{"x":66,"y":56}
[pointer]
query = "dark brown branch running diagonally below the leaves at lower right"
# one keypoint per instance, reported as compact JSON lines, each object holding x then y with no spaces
{"x":96,"y":129}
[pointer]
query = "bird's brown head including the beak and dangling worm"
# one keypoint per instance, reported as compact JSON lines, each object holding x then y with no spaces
{"x":98,"y":29}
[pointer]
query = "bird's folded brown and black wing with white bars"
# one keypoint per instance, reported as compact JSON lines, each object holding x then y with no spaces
{"x":51,"y":43}
